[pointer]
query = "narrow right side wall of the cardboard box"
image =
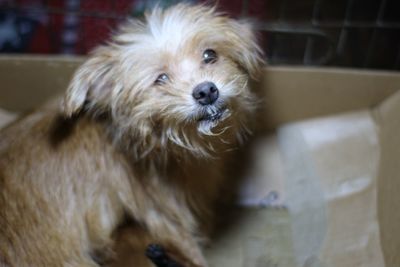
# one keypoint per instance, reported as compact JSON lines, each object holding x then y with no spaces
{"x":388,"y":119}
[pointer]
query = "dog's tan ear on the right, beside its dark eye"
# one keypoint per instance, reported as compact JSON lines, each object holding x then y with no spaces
{"x":244,"y":46}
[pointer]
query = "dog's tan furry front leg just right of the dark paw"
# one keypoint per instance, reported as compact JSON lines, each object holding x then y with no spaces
{"x":165,"y":216}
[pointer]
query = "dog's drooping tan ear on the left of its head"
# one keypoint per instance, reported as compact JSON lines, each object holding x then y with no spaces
{"x":91,"y":82}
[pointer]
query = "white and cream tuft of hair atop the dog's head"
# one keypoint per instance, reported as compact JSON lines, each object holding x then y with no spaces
{"x":183,"y":29}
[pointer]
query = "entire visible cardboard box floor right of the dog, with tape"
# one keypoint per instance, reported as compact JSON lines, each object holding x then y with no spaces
{"x":326,"y":169}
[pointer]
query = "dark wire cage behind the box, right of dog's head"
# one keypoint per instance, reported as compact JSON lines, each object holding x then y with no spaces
{"x":349,"y":33}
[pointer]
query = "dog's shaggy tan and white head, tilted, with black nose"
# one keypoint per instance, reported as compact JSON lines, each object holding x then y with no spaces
{"x":181,"y":77}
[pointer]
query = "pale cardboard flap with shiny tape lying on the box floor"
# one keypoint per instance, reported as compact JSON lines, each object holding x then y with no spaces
{"x":331,"y":168}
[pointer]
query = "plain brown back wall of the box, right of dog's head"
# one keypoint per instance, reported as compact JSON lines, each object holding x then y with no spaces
{"x":299,"y":93}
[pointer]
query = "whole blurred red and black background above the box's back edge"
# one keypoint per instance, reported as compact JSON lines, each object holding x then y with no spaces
{"x":347,"y":33}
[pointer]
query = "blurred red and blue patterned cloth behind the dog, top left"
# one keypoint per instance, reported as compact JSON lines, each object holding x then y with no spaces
{"x":72,"y":26}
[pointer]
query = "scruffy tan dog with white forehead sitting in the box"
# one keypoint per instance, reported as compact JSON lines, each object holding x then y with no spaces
{"x":143,"y":134}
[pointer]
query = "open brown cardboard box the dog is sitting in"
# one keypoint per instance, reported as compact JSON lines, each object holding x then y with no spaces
{"x":323,"y":175}
